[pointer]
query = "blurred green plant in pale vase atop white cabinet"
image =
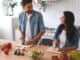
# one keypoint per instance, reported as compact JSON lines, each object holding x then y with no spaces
{"x":8,"y":6}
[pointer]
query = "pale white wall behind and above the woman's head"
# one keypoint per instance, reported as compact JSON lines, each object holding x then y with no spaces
{"x":53,"y":11}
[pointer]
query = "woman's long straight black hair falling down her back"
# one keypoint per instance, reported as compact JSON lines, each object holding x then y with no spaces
{"x":70,"y":28}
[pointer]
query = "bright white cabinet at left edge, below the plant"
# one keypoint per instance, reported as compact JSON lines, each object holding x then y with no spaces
{"x":6,"y":31}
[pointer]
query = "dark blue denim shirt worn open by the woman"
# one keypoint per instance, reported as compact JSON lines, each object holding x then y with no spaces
{"x":67,"y":43}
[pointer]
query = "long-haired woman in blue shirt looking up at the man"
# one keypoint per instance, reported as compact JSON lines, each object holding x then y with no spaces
{"x":67,"y":32}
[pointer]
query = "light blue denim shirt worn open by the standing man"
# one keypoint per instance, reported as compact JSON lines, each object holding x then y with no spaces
{"x":36,"y":23}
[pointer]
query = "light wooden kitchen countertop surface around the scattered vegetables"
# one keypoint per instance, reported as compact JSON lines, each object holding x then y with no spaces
{"x":47,"y":55}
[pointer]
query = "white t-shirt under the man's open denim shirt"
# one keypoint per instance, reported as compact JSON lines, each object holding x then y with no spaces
{"x":28,"y":36}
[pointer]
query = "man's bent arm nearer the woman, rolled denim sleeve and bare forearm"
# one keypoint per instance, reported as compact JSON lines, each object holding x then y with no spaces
{"x":41,"y":29}
